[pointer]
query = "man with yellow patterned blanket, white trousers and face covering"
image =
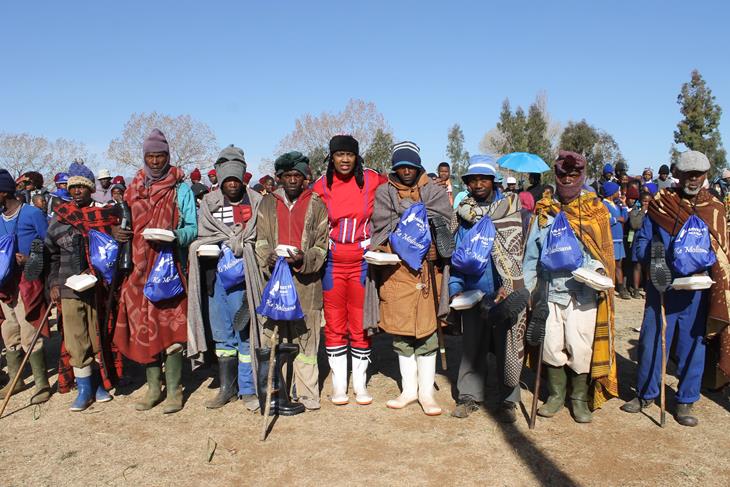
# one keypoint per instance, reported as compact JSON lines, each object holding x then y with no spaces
{"x":579,"y":329}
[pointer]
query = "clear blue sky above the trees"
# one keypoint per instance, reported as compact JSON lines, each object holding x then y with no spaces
{"x":78,"y":69}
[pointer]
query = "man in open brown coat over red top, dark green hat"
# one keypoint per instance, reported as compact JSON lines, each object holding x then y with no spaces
{"x":295,"y":216}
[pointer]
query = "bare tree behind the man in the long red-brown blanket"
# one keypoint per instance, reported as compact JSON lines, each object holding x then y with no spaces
{"x":192,"y":143}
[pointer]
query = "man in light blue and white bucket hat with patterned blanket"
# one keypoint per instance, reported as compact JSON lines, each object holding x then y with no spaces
{"x":480,"y":335}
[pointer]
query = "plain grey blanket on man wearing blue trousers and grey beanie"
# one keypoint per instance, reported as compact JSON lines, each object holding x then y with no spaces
{"x":242,"y":241}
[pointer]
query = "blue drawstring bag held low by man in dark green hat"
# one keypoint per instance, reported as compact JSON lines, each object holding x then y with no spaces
{"x":279,"y":300}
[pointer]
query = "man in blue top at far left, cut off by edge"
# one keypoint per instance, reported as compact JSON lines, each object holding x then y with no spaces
{"x":22,"y":301}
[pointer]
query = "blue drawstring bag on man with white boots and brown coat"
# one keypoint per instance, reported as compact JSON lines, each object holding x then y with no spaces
{"x":412,"y":236}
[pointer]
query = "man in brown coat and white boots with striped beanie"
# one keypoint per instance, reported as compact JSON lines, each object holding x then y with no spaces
{"x":406,"y":304}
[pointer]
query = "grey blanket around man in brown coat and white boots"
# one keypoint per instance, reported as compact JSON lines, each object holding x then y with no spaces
{"x":388,"y":209}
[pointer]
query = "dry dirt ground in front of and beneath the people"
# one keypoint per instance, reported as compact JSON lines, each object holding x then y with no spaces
{"x":112,"y":444}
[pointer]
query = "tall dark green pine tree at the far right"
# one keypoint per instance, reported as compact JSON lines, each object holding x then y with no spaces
{"x":698,"y":130}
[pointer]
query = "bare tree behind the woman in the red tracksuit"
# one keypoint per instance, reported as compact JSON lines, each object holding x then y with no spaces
{"x":311,"y":133}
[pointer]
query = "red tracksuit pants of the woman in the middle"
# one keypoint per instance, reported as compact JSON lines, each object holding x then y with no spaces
{"x":344,"y":295}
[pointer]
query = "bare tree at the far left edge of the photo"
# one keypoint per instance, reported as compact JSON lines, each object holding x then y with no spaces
{"x":20,"y":153}
